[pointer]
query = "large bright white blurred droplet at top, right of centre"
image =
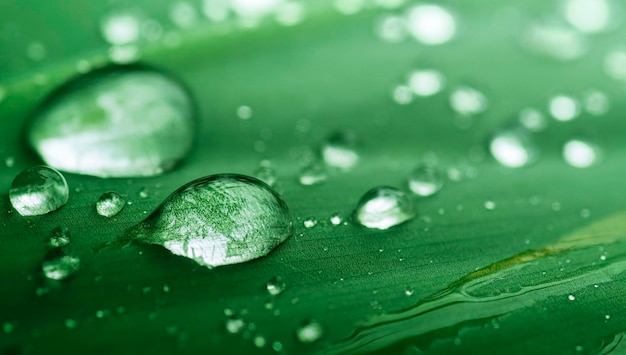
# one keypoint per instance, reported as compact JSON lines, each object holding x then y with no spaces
{"x":431,"y":24}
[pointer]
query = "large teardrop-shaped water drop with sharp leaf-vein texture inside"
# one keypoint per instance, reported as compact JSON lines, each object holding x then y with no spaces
{"x":218,"y":220}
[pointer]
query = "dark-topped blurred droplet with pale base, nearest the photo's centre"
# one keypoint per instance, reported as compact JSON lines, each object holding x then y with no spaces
{"x":339,"y":150}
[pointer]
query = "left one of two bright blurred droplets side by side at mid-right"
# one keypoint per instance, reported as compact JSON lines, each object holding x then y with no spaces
{"x":513,"y":148}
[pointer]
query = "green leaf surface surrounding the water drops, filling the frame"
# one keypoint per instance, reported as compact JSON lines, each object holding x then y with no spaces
{"x":307,"y":69}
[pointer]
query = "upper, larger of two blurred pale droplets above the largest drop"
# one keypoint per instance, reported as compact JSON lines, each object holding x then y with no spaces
{"x":120,"y":27}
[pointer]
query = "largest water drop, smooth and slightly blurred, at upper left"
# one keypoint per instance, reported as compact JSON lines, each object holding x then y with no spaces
{"x":116,"y":122}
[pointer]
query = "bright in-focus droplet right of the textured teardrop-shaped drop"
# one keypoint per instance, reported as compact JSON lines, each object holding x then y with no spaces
{"x":383,"y":207}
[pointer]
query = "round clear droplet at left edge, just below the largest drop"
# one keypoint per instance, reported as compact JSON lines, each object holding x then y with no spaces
{"x":38,"y":190}
